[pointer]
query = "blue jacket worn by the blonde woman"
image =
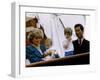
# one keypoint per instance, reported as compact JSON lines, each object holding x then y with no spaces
{"x":33,"y":55}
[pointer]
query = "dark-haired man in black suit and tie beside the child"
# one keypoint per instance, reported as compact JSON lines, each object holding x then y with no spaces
{"x":81,"y":45}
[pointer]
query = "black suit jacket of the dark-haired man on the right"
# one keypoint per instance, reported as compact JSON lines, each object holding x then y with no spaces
{"x":83,"y":48}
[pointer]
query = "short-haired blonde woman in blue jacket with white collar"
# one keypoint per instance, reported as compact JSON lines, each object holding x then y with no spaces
{"x":35,"y":51}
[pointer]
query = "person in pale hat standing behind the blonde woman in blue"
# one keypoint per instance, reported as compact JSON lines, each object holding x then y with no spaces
{"x":31,"y":23}
